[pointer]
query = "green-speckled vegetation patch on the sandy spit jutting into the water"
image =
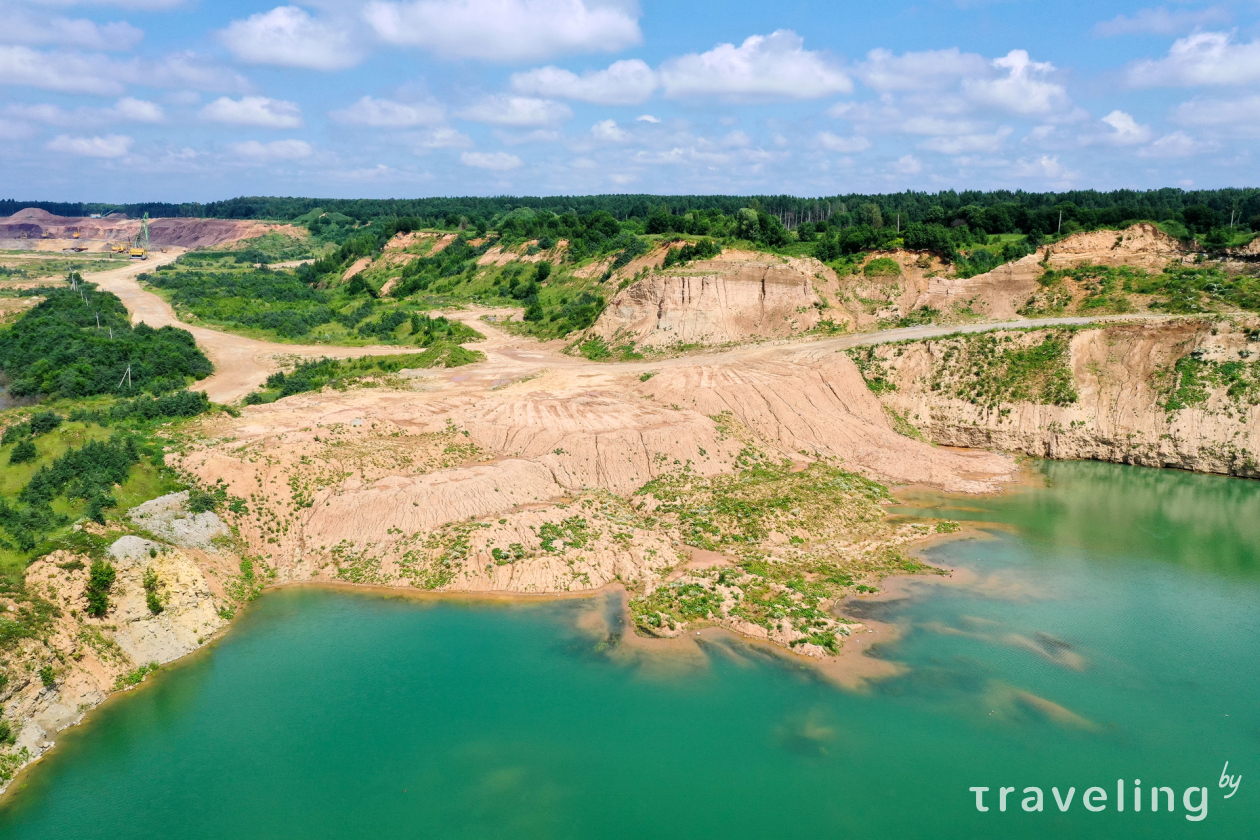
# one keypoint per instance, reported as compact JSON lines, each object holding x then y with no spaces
{"x":825,"y":513}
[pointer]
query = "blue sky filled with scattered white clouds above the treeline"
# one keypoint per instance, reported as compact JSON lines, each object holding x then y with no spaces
{"x":191,"y":100}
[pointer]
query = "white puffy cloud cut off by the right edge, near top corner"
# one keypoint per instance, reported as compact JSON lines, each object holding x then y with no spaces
{"x":1203,"y":59}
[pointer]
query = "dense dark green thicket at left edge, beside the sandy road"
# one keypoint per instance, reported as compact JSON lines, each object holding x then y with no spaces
{"x":79,"y":342}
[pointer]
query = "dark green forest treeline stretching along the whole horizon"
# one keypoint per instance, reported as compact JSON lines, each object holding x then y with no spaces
{"x":1026,"y":212}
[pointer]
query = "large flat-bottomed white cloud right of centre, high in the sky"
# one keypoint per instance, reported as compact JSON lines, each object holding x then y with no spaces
{"x":774,"y":66}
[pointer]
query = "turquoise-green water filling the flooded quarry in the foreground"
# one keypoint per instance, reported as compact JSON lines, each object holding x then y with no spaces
{"x":1131,"y":598}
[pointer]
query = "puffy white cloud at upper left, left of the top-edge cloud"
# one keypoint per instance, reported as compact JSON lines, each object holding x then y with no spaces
{"x":289,"y":37}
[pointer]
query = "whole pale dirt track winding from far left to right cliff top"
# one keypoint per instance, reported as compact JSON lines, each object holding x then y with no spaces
{"x":241,"y":365}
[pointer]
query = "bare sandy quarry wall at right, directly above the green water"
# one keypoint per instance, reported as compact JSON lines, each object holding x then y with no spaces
{"x":1121,"y":375}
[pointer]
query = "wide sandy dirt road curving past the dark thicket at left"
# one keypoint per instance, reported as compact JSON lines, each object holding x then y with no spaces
{"x":241,"y":365}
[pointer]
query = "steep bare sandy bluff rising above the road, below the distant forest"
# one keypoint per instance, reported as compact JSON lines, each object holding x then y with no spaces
{"x":714,"y":302}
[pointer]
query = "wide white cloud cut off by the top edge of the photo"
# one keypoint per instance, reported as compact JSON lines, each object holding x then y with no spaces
{"x":505,"y":31}
